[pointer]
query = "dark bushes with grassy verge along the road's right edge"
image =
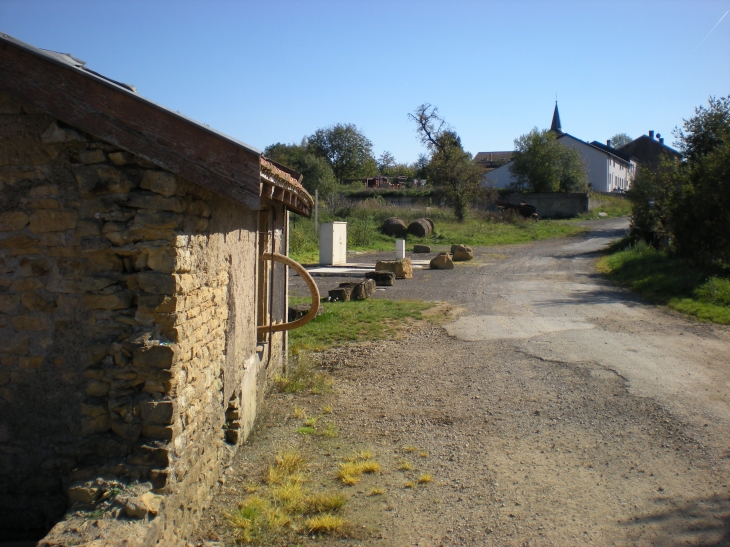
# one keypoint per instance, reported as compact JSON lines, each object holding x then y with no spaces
{"x":678,"y":249}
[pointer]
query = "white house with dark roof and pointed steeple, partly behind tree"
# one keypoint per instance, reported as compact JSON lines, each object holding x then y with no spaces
{"x":609,"y":170}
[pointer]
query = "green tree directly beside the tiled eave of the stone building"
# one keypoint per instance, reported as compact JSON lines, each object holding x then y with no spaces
{"x":317,"y":174}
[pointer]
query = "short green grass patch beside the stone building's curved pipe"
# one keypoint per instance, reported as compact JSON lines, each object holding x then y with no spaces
{"x":344,"y":322}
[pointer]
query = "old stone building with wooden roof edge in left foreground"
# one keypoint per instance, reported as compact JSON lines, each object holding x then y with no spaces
{"x":132,"y":292}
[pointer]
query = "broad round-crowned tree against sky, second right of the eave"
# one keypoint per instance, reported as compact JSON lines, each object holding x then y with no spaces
{"x":348,"y":152}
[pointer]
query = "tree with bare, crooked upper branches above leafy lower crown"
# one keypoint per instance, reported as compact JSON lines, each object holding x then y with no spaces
{"x":450,"y":166}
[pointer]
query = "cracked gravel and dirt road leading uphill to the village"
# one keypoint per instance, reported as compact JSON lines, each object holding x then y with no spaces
{"x":556,"y":410}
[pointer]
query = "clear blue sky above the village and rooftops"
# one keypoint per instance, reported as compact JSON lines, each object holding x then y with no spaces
{"x":275,"y":71}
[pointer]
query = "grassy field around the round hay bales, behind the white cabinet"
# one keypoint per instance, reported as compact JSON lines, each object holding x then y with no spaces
{"x":479,"y":228}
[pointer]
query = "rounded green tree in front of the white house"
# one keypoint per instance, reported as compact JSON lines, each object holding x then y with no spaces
{"x":542,"y":164}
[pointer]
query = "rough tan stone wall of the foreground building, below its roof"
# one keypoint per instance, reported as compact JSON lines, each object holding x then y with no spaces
{"x":128,"y":351}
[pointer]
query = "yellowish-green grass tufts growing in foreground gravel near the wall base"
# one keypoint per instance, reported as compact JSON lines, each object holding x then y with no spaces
{"x":286,"y":507}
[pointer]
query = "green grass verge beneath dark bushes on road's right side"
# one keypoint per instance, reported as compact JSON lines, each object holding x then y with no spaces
{"x":670,"y":281}
